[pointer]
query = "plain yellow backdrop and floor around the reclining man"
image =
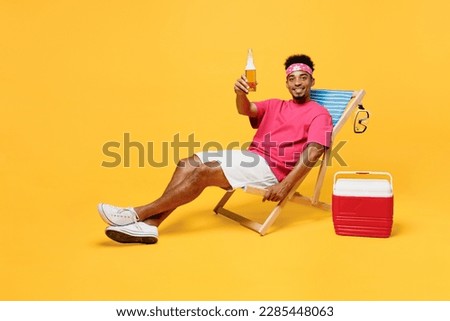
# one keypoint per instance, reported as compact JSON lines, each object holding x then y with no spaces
{"x":75,"y":75}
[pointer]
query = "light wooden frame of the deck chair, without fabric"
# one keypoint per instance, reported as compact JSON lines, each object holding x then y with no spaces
{"x":293,"y":195}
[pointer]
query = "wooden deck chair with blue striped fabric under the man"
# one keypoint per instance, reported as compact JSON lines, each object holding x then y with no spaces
{"x":341,"y":104}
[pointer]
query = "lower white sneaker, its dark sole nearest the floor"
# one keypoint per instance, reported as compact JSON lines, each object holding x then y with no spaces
{"x":139,"y":232}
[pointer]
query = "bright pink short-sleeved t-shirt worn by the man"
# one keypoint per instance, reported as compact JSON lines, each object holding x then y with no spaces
{"x":285,"y":128}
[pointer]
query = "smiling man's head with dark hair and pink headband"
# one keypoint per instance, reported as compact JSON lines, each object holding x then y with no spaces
{"x":299,"y":77}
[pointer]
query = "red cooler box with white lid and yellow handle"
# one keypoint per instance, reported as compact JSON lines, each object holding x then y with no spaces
{"x":363,"y":204}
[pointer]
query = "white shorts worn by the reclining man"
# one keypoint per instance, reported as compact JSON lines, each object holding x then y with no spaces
{"x":241,"y":167}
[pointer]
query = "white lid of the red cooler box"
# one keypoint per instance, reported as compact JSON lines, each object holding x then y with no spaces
{"x":362,"y":187}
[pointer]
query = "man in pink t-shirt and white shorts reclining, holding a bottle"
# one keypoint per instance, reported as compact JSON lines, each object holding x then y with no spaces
{"x":290,"y":138}
